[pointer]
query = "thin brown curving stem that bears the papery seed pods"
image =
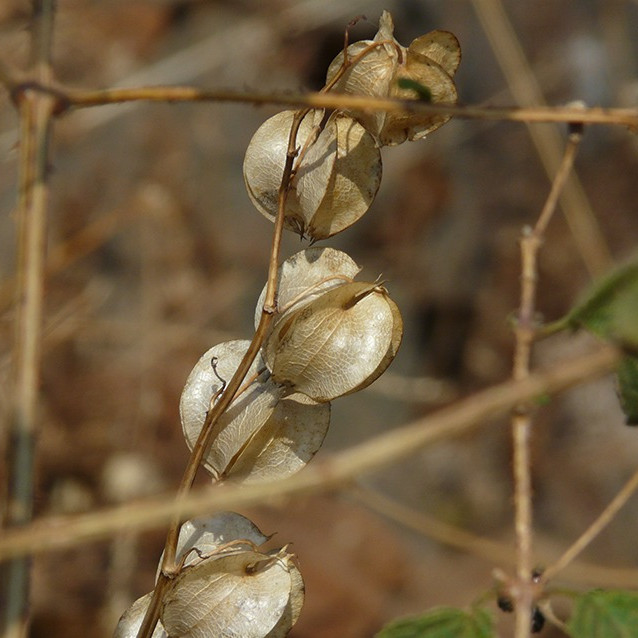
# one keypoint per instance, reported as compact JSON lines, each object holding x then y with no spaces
{"x":169,"y":567}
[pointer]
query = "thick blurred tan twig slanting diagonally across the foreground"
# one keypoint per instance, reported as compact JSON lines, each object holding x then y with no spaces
{"x":385,"y":449}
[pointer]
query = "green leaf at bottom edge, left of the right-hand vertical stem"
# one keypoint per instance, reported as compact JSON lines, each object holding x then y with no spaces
{"x":442,"y":622}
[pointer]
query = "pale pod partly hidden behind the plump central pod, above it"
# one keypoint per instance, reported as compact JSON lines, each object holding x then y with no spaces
{"x":307,"y":274}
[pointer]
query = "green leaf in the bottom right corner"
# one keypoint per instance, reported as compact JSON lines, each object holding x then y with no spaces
{"x":605,"y":614}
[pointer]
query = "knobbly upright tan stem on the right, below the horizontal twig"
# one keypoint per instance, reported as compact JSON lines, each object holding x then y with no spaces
{"x":525,"y":332}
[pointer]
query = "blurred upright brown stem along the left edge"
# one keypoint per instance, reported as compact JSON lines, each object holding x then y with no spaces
{"x":35,"y":120}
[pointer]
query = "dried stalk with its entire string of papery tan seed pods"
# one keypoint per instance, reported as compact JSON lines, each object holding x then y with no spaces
{"x":326,"y":335}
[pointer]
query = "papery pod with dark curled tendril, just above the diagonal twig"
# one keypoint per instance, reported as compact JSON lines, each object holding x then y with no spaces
{"x":260,"y":437}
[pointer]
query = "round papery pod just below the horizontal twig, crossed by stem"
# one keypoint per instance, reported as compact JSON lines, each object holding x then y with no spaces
{"x":337,"y":173}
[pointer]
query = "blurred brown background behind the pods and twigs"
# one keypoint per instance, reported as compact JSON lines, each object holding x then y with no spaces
{"x":156,"y":254}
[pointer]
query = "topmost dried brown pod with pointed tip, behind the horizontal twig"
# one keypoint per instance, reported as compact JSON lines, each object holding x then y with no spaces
{"x":377,"y":65}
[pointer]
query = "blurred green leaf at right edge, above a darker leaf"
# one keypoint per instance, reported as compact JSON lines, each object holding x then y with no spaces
{"x":610,"y":309}
